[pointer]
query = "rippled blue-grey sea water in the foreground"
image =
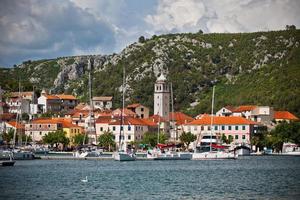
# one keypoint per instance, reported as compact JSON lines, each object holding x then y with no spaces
{"x":255,"y":177}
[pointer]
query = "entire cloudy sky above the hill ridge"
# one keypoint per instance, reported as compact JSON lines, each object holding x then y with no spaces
{"x":39,"y":29}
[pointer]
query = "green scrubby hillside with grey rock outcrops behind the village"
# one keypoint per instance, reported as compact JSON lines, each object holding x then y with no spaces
{"x":247,"y":68}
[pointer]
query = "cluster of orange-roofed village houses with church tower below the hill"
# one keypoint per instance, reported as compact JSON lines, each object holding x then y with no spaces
{"x":240,"y":122}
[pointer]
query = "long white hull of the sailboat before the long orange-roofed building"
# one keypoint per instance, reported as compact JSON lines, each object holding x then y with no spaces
{"x":213,"y":156}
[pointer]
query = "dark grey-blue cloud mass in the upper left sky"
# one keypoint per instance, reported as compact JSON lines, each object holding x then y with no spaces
{"x":45,"y":29}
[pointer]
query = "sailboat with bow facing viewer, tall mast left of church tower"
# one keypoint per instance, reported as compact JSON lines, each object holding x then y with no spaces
{"x":123,"y":153}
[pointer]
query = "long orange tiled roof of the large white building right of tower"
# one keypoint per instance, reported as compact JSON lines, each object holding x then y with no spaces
{"x":217,"y":120}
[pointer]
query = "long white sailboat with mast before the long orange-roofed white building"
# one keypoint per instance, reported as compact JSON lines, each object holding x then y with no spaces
{"x":215,"y":151}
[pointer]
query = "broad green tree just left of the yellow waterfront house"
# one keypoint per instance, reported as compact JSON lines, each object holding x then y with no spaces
{"x":56,"y":138}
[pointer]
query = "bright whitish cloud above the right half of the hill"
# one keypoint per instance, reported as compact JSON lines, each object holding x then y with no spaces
{"x":223,"y":16}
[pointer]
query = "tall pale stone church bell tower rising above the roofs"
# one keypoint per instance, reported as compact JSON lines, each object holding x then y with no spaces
{"x":162,"y":97}
